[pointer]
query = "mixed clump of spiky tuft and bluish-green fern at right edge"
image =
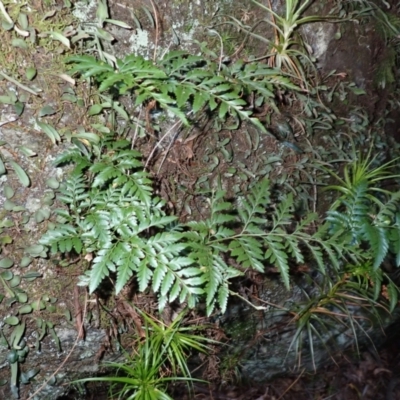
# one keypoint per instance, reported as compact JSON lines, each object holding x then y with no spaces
{"x":369,"y":215}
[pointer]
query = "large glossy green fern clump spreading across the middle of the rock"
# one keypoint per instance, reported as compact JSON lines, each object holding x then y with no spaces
{"x":113,"y":214}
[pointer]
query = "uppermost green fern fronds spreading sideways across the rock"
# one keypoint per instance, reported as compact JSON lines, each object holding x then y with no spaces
{"x":181,"y":81}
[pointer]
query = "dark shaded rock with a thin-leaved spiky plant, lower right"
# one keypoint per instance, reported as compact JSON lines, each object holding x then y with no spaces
{"x":297,"y":331}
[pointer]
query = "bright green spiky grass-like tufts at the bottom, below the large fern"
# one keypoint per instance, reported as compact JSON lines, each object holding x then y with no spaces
{"x":163,"y":348}
